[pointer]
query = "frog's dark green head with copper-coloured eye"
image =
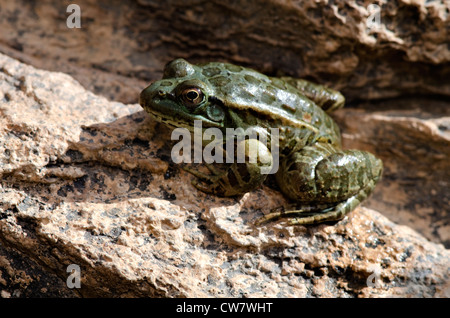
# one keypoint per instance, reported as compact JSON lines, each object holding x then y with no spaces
{"x":182,"y":96}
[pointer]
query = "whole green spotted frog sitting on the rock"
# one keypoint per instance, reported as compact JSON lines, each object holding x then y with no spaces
{"x":322,"y":181}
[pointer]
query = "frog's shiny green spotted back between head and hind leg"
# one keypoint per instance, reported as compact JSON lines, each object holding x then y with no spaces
{"x":270,"y":99}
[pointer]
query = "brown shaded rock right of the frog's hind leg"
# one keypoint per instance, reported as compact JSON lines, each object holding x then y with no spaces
{"x":412,"y":137}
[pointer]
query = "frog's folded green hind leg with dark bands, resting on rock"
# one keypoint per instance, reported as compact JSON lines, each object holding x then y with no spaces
{"x":326,"y":182}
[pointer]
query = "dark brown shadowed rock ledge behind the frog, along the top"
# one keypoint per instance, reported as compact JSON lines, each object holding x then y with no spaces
{"x":364,"y":49}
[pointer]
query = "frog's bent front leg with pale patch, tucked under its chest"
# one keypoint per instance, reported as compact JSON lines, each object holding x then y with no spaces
{"x":237,"y":177}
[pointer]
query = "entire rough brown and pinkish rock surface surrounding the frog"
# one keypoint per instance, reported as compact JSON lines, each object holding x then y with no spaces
{"x":87,"y":181}
